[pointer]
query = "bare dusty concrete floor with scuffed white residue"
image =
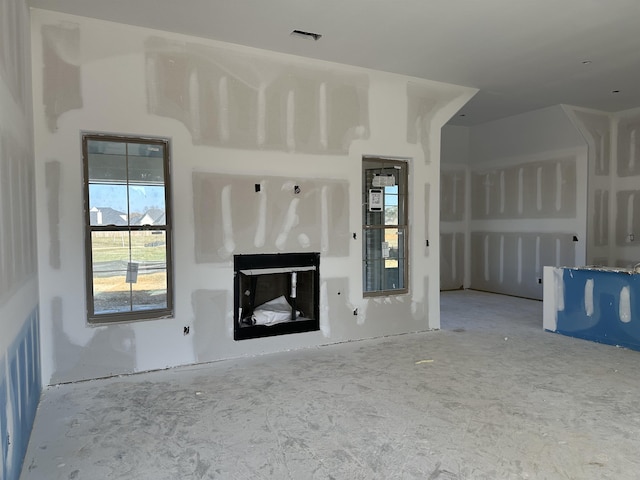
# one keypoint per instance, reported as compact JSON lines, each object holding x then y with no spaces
{"x":491,"y":396}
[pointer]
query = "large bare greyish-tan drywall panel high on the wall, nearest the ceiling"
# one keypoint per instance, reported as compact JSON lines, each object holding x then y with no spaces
{"x":245,"y":101}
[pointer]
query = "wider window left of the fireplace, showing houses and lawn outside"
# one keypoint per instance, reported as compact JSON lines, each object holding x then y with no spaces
{"x":127,"y":228}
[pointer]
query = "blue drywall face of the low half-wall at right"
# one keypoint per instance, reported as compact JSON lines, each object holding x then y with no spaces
{"x":605,"y":324}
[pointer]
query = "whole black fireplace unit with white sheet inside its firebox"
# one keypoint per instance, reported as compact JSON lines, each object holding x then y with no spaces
{"x":276,"y":294}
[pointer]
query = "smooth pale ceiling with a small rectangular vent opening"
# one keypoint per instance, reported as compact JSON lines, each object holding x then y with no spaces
{"x":521,"y":54}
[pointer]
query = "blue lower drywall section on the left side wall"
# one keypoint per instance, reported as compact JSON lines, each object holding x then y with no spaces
{"x":20,"y":388}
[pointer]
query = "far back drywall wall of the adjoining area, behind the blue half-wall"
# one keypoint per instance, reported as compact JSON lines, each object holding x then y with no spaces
{"x":528,"y":209}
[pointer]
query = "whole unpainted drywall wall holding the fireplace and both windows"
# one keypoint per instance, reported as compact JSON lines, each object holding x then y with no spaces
{"x":246,"y":127}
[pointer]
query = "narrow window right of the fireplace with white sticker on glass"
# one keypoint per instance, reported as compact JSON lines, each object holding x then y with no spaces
{"x":384,"y":230}
